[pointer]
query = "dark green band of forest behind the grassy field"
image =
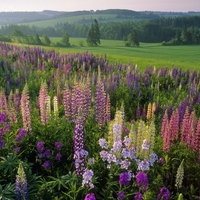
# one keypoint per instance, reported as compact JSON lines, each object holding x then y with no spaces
{"x":178,"y":30}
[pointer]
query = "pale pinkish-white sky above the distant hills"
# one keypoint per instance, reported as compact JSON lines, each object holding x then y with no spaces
{"x":75,"y":5}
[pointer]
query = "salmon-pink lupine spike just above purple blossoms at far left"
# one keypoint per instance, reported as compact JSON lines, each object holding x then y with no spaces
{"x":26,"y":115}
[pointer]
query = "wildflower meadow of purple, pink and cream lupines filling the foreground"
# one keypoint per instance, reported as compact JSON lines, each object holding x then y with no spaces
{"x":74,"y":127}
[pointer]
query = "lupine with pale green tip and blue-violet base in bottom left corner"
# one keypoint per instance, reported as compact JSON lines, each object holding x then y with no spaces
{"x":21,"y":184}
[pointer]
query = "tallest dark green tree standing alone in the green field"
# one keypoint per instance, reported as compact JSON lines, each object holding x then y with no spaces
{"x":93,"y":36}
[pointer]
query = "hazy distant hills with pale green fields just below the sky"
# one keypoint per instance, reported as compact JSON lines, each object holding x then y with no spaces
{"x":48,"y":18}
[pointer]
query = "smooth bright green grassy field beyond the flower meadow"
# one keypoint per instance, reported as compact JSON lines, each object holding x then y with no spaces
{"x":185,"y":57}
